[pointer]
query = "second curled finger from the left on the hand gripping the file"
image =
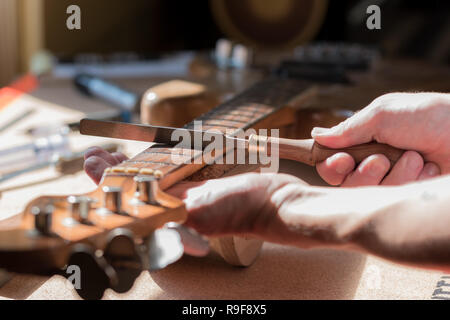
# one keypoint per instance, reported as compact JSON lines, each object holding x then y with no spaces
{"x":370,"y":172}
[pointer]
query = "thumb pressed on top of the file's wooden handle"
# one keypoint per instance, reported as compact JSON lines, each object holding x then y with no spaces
{"x":360,"y":128}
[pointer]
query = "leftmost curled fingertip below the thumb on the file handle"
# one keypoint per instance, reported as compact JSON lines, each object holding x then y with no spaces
{"x":336,"y":168}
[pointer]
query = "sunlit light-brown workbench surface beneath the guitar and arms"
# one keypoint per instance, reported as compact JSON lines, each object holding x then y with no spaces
{"x":281,"y":272}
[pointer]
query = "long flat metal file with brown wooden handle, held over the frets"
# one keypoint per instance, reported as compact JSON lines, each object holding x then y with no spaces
{"x":305,"y":150}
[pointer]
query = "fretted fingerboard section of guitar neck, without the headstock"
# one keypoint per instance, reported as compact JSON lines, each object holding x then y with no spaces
{"x":242,"y":112}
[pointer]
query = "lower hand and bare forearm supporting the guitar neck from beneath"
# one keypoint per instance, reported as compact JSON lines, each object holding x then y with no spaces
{"x":283,"y":209}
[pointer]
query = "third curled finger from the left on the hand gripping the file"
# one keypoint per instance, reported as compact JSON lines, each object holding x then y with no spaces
{"x":407,"y":169}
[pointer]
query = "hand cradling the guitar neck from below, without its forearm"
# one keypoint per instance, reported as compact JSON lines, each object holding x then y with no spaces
{"x":239,"y":205}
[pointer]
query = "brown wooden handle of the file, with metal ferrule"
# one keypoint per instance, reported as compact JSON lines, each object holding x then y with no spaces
{"x":310,"y":152}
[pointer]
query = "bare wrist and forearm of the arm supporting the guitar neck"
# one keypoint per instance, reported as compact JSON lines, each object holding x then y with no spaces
{"x":408,"y":224}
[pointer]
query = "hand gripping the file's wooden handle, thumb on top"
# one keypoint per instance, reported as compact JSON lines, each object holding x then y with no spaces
{"x":418,"y":122}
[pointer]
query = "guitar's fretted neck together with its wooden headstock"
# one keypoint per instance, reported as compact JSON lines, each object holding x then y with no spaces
{"x":51,"y":226}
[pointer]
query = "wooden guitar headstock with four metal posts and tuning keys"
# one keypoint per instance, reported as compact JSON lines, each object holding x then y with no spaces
{"x":106,"y":233}
